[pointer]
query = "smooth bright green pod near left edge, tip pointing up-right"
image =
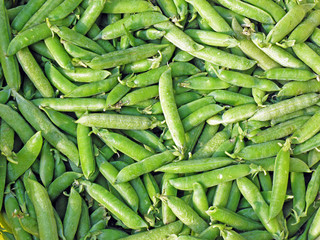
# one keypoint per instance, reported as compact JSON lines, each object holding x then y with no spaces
{"x":25,"y":157}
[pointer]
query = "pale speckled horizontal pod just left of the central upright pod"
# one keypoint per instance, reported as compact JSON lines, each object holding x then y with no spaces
{"x":117,"y":121}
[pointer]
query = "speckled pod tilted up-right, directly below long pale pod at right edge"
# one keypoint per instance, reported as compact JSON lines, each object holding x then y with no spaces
{"x":280,"y":130}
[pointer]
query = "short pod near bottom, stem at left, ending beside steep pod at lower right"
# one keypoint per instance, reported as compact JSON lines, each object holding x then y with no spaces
{"x":233,"y":219}
